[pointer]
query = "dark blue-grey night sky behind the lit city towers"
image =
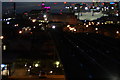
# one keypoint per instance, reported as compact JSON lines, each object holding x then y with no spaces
{"x":27,"y":6}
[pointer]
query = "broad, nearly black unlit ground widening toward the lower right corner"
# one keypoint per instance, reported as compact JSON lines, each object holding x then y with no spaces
{"x":87,"y":56}
